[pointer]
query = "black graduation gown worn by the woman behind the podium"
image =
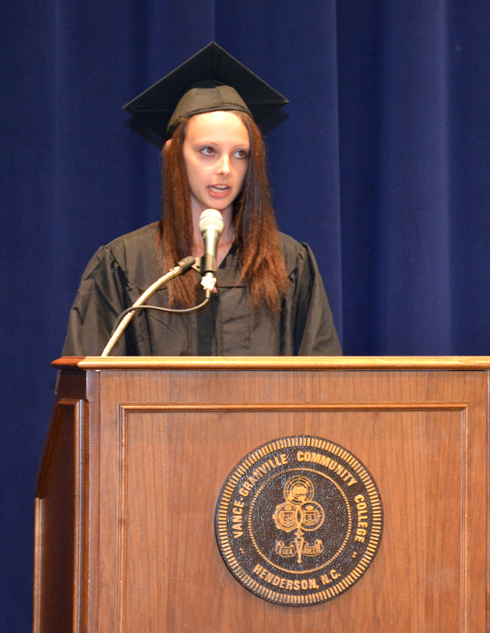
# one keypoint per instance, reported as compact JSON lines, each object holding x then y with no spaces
{"x":121,"y":271}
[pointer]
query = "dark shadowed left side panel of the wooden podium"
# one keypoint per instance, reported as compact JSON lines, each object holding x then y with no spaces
{"x":59,"y":549}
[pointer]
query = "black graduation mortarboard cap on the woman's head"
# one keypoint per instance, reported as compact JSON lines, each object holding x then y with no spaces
{"x":210,"y":80}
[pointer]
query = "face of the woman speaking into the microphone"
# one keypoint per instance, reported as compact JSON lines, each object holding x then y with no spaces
{"x":216,"y":153}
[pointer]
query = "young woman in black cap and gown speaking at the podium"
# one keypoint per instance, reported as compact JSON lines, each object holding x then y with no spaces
{"x":269,"y":297}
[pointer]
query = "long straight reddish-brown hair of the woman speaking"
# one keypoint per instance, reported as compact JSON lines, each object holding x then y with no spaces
{"x":256,"y":235}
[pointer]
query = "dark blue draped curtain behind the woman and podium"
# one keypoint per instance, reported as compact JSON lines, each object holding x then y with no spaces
{"x":381,"y":164}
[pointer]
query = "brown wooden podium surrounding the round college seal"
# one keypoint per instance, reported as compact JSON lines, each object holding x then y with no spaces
{"x":138,"y":449}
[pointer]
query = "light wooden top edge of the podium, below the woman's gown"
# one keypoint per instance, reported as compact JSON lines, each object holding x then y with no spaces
{"x":278,"y":363}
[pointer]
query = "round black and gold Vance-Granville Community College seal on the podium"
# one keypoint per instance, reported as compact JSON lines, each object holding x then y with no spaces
{"x":299,"y":520}
